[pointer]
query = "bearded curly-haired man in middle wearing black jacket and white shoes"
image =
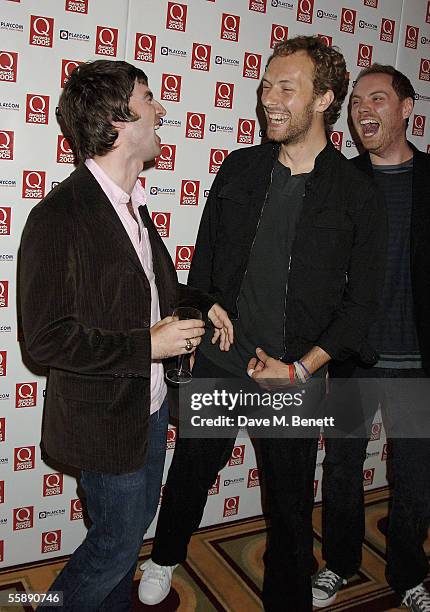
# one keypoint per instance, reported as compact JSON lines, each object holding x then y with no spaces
{"x":290,"y":244}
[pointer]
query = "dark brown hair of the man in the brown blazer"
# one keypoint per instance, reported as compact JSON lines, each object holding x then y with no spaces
{"x":96,"y":94}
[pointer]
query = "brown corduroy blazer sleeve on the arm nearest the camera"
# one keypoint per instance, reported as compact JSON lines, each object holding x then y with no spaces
{"x":54,"y":335}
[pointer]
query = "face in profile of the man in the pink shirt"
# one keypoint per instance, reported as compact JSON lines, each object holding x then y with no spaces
{"x":141,"y":134}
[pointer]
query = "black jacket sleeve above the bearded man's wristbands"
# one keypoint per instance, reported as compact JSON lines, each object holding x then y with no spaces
{"x":347,"y":333}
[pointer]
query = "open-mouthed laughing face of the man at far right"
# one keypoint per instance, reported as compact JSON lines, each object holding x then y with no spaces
{"x":378,"y":114}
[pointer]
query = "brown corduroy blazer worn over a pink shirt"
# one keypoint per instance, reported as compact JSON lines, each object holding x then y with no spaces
{"x":86,"y":311}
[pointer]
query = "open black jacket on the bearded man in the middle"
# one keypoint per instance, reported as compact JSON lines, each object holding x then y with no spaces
{"x":337,"y":260}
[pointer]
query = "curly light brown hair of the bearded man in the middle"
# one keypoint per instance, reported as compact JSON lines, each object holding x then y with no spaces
{"x":329,"y":70}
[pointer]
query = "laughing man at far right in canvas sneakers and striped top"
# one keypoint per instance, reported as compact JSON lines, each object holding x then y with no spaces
{"x":381,"y":104}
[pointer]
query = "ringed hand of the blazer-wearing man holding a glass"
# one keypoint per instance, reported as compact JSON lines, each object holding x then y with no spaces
{"x":169,"y":336}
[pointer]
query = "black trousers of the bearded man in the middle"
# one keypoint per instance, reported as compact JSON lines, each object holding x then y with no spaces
{"x":288,"y":471}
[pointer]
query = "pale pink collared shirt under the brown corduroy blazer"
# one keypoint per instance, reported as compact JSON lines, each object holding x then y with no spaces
{"x":119,"y":198}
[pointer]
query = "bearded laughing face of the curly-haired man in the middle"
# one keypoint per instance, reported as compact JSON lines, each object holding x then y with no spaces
{"x":288,"y":98}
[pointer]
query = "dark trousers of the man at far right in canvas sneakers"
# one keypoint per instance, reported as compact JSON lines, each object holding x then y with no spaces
{"x":343,"y":508}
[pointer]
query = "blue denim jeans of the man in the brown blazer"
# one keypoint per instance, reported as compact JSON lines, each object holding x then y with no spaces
{"x":99,"y":574}
